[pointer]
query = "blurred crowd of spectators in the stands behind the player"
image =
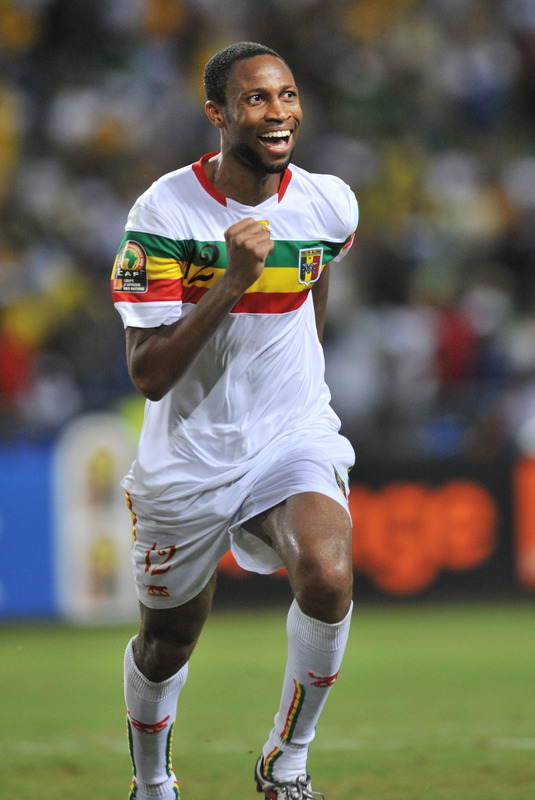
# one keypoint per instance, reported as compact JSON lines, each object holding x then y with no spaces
{"x":425,"y":107}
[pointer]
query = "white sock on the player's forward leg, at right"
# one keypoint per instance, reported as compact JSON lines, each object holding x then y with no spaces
{"x":315,"y":651}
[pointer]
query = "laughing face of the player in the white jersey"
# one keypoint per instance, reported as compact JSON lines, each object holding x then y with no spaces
{"x":262,"y":114}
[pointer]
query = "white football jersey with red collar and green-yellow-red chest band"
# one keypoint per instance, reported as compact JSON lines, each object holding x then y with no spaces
{"x":261,"y":376}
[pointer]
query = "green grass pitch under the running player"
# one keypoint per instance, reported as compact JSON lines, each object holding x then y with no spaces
{"x":432,"y":703}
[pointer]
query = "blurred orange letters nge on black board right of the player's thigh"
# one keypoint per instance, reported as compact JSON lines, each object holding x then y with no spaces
{"x":405,"y":534}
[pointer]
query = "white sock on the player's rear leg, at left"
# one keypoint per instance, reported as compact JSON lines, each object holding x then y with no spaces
{"x":151,"y":712}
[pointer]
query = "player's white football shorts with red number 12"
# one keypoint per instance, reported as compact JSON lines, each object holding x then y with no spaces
{"x":178,"y":545}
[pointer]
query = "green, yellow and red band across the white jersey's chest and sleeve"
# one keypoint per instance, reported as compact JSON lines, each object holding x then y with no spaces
{"x":153,"y":268}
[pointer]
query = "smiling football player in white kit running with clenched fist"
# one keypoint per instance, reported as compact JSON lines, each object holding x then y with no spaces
{"x":221,"y":281}
